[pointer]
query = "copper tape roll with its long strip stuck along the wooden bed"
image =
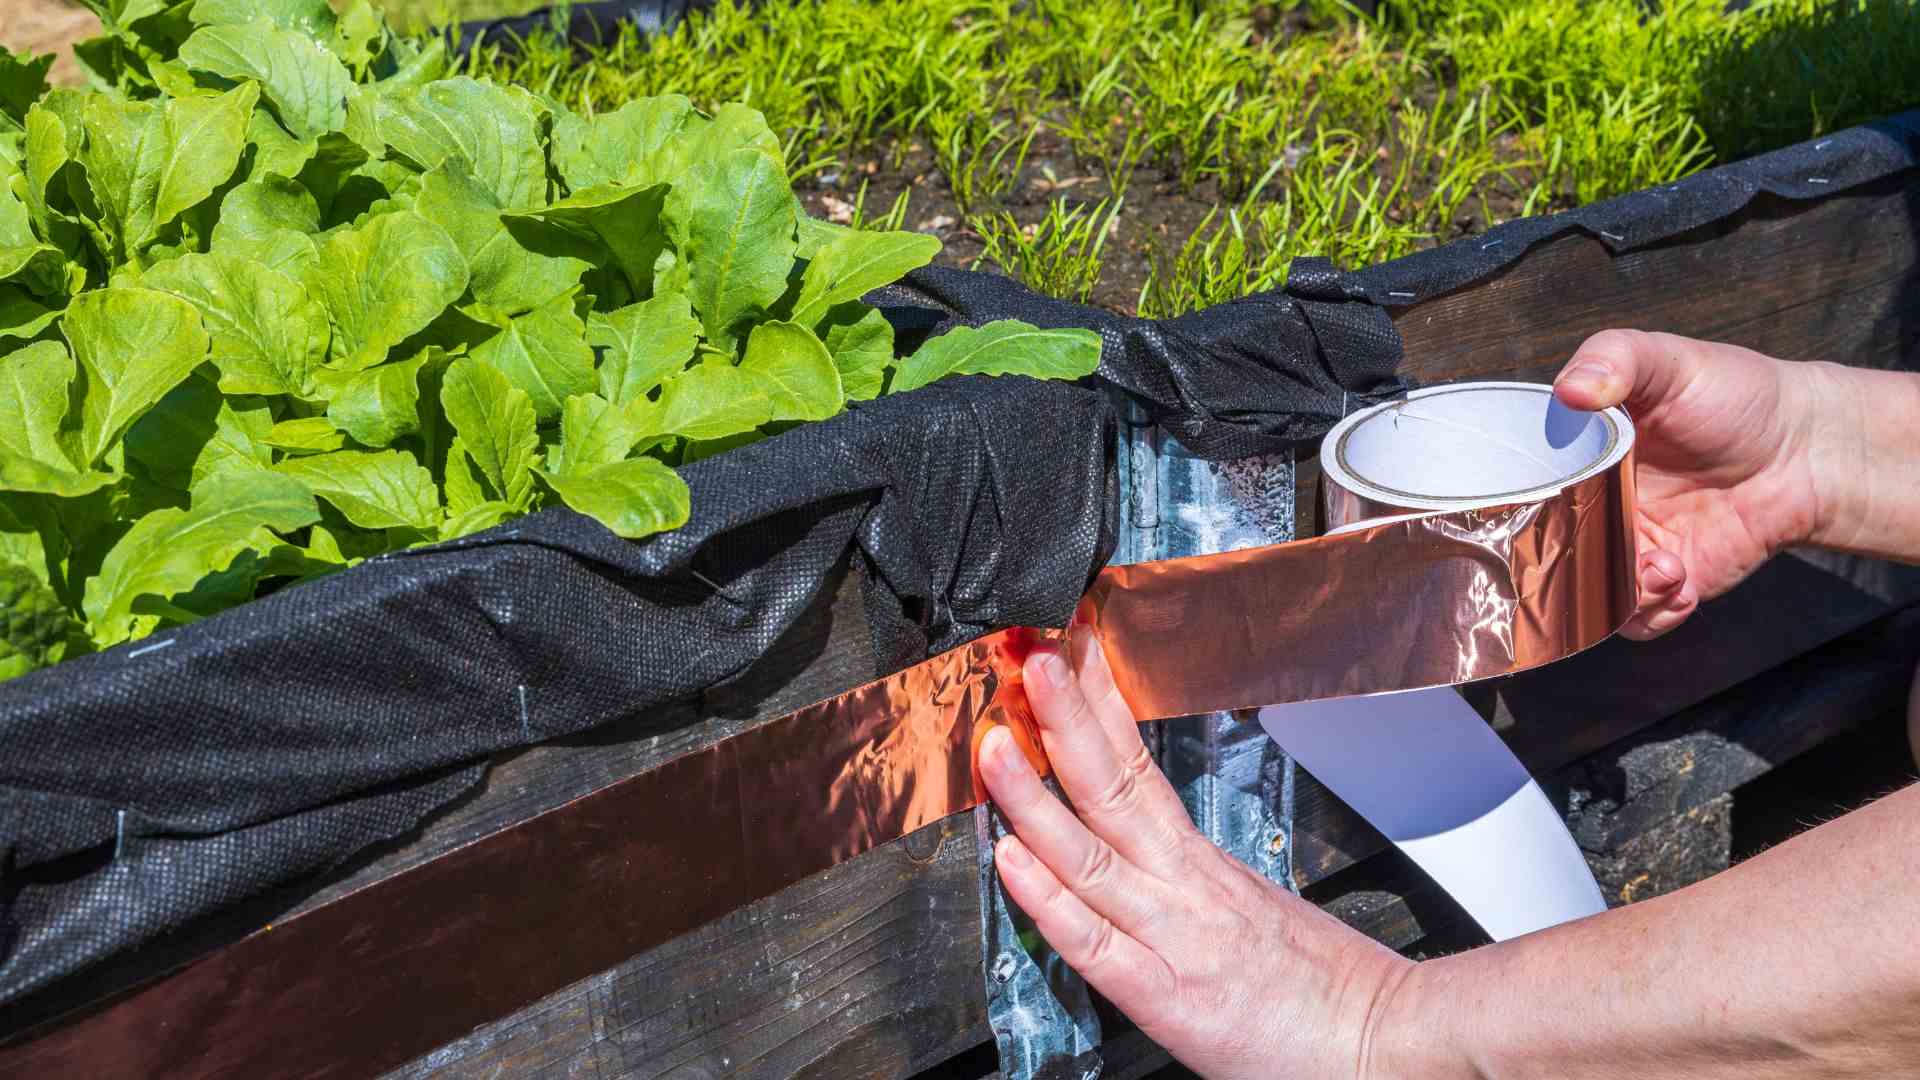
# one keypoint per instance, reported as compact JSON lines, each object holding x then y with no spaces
{"x":1443,"y":591}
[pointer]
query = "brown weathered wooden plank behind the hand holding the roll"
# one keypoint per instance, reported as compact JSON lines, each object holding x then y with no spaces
{"x":1802,"y":282}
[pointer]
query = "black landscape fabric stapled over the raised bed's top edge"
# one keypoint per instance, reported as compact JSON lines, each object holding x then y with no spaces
{"x":181,"y":775}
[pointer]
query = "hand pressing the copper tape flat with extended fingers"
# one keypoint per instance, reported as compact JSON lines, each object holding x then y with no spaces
{"x":1224,"y":970}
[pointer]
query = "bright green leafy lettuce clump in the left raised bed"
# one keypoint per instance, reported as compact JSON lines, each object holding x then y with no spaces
{"x":277,"y":297}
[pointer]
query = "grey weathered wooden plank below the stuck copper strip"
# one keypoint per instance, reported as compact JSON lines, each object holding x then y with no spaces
{"x":869,"y":970}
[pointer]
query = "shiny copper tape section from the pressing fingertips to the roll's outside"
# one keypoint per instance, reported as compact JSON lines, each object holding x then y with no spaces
{"x":1433,"y":601}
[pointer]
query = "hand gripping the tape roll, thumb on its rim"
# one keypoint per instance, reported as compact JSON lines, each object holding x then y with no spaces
{"x":1725,"y":458}
